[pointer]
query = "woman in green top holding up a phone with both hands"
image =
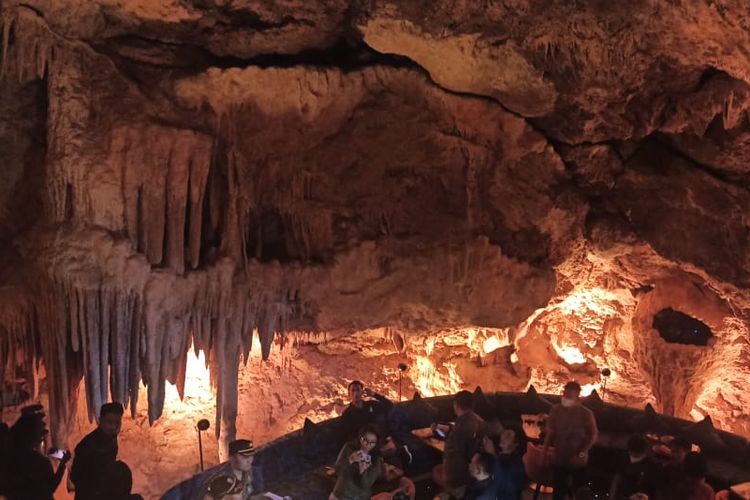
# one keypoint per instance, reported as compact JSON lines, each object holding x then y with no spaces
{"x":358,"y":466}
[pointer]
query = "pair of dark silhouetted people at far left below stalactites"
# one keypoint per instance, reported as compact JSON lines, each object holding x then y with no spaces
{"x":95,"y":474}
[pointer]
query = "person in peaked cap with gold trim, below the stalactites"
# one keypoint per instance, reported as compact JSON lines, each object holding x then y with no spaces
{"x":247,"y":478}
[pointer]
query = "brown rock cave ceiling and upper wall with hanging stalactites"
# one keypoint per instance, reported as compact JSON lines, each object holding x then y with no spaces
{"x":177,"y":171}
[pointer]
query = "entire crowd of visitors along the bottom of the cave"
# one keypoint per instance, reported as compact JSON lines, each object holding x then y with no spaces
{"x":481,"y":461}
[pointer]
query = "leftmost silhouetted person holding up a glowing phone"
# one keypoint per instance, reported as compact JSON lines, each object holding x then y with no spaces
{"x":30,"y":474}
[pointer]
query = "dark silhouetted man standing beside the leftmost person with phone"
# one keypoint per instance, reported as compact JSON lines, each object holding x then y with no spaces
{"x":96,"y":453}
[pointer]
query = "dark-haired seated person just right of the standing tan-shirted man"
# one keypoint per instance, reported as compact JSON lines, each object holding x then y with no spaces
{"x":637,"y":474}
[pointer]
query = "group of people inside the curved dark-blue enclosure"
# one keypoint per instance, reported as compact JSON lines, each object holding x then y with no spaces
{"x":485,"y":461}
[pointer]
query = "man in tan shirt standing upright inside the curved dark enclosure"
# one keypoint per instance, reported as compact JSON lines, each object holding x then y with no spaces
{"x":571,"y":431}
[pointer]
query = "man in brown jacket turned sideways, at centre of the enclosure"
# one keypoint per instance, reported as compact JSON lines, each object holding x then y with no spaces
{"x":462,"y":442}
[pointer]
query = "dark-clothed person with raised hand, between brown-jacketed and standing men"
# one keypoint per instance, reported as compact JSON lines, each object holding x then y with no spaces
{"x":509,"y":475}
